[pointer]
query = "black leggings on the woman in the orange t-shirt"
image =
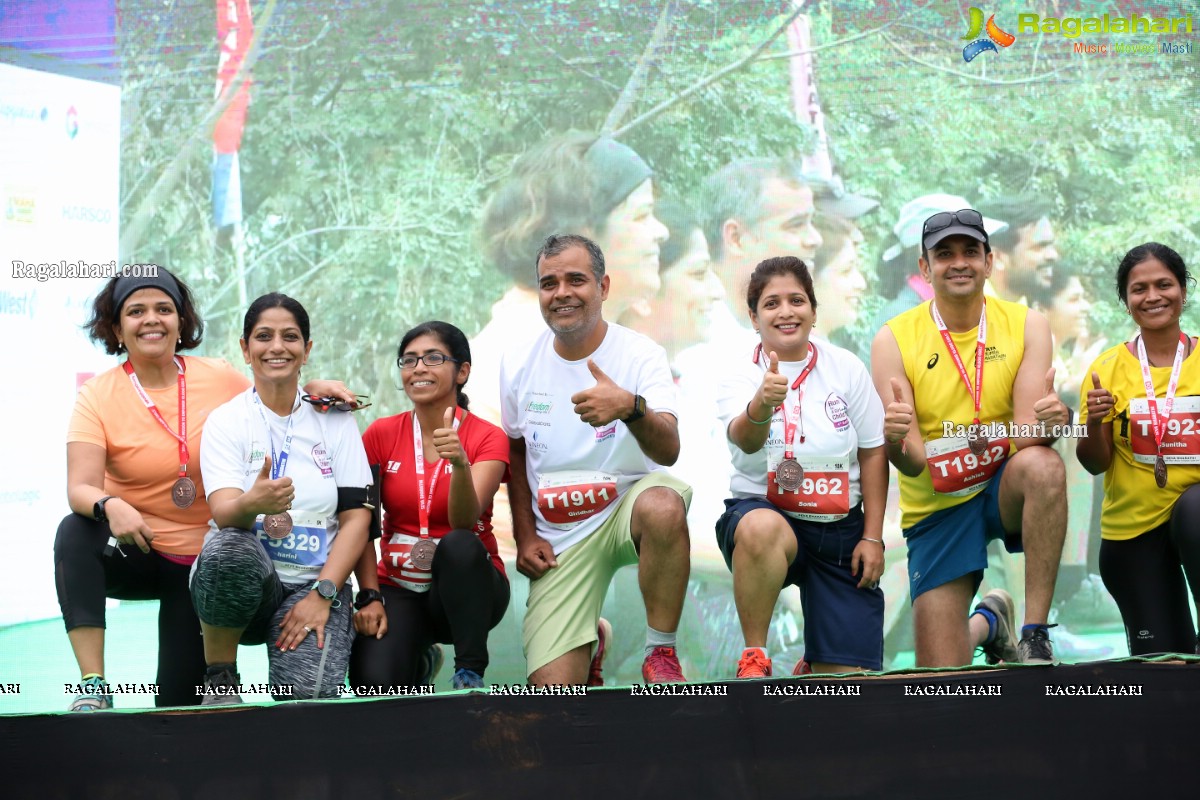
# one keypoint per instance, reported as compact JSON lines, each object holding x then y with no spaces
{"x":85,"y":576}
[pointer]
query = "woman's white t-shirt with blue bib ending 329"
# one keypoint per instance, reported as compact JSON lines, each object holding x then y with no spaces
{"x":326,"y":454}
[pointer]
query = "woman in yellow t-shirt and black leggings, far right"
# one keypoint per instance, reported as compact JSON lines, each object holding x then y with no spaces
{"x":1142,"y":405}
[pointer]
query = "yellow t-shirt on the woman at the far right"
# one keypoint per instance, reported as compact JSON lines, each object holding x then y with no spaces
{"x":1133,"y":503}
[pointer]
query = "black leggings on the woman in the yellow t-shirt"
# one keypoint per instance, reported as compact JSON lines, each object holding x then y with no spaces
{"x":1147,"y":578}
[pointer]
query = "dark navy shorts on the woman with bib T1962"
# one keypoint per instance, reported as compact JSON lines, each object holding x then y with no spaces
{"x":843,"y":624}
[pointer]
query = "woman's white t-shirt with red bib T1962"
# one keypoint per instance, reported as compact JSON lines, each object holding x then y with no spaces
{"x":839,"y":413}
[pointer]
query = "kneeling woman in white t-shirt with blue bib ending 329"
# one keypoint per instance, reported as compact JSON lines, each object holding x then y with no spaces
{"x":287,"y":488}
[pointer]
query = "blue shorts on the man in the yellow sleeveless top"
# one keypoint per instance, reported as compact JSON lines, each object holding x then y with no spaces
{"x":953,"y":543}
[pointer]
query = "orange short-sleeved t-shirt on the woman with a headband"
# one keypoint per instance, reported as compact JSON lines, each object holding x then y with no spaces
{"x":142,"y":460}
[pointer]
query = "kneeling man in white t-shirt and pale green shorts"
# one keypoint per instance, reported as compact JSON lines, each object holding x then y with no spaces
{"x":590,"y":408}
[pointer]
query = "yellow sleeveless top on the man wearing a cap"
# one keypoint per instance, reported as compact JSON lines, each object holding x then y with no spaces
{"x":940,"y":395}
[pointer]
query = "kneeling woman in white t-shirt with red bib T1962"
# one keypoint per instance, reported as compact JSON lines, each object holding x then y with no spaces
{"x":806,"y":432}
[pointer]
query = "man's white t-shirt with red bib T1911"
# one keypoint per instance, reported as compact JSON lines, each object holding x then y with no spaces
{"x":577,"y":472}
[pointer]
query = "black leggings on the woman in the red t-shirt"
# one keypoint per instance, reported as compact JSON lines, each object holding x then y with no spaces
{"x":467,"y":599}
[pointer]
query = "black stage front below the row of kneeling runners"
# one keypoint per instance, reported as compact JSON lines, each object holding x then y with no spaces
{"x":1121,"y":729}
